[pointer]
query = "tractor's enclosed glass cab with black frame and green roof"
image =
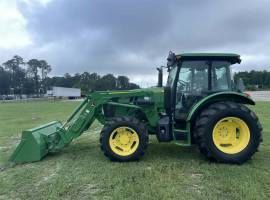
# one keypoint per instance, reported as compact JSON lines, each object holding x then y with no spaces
{"x":193,"y":76}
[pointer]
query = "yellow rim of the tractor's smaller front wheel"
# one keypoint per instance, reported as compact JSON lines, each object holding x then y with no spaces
{"x":124,"y":141}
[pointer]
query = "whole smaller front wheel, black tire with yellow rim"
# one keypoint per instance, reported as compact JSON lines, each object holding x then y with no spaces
{"x":124,"y":139}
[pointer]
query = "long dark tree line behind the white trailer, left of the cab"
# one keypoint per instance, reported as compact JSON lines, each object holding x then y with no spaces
{"x":18,"y":77}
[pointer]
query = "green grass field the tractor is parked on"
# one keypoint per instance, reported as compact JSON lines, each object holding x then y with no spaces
{"x":80,"y":171}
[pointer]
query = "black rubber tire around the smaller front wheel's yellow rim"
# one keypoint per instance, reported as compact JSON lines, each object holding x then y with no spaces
{"x":131,"y":122}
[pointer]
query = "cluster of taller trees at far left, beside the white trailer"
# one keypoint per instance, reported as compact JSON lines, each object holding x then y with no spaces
{"x":20,"y":77}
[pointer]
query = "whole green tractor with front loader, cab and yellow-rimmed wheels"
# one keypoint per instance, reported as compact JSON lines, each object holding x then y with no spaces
{"x":200,"y":104}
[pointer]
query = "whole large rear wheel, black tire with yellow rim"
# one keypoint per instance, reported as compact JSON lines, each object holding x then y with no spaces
{"x":228,"y":132}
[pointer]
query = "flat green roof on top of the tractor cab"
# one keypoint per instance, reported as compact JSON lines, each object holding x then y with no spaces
{"x":234,"y":58}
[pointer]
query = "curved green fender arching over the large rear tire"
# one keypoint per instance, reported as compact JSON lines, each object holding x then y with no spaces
{"x":220,"y":96}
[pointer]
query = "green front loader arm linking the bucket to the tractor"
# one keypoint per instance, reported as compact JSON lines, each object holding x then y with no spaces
{"x":83,"y":117}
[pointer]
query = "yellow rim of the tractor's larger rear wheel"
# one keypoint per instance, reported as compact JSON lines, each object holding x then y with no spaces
{"x":231,"y":135}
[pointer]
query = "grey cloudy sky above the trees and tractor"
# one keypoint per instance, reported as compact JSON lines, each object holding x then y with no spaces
{"x":132,"y":38}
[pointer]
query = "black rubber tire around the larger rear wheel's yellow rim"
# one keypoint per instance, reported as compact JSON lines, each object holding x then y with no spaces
{"x":206,"y":121}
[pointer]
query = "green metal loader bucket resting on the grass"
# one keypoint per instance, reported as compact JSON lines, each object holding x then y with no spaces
{"x":34,"y":143}
